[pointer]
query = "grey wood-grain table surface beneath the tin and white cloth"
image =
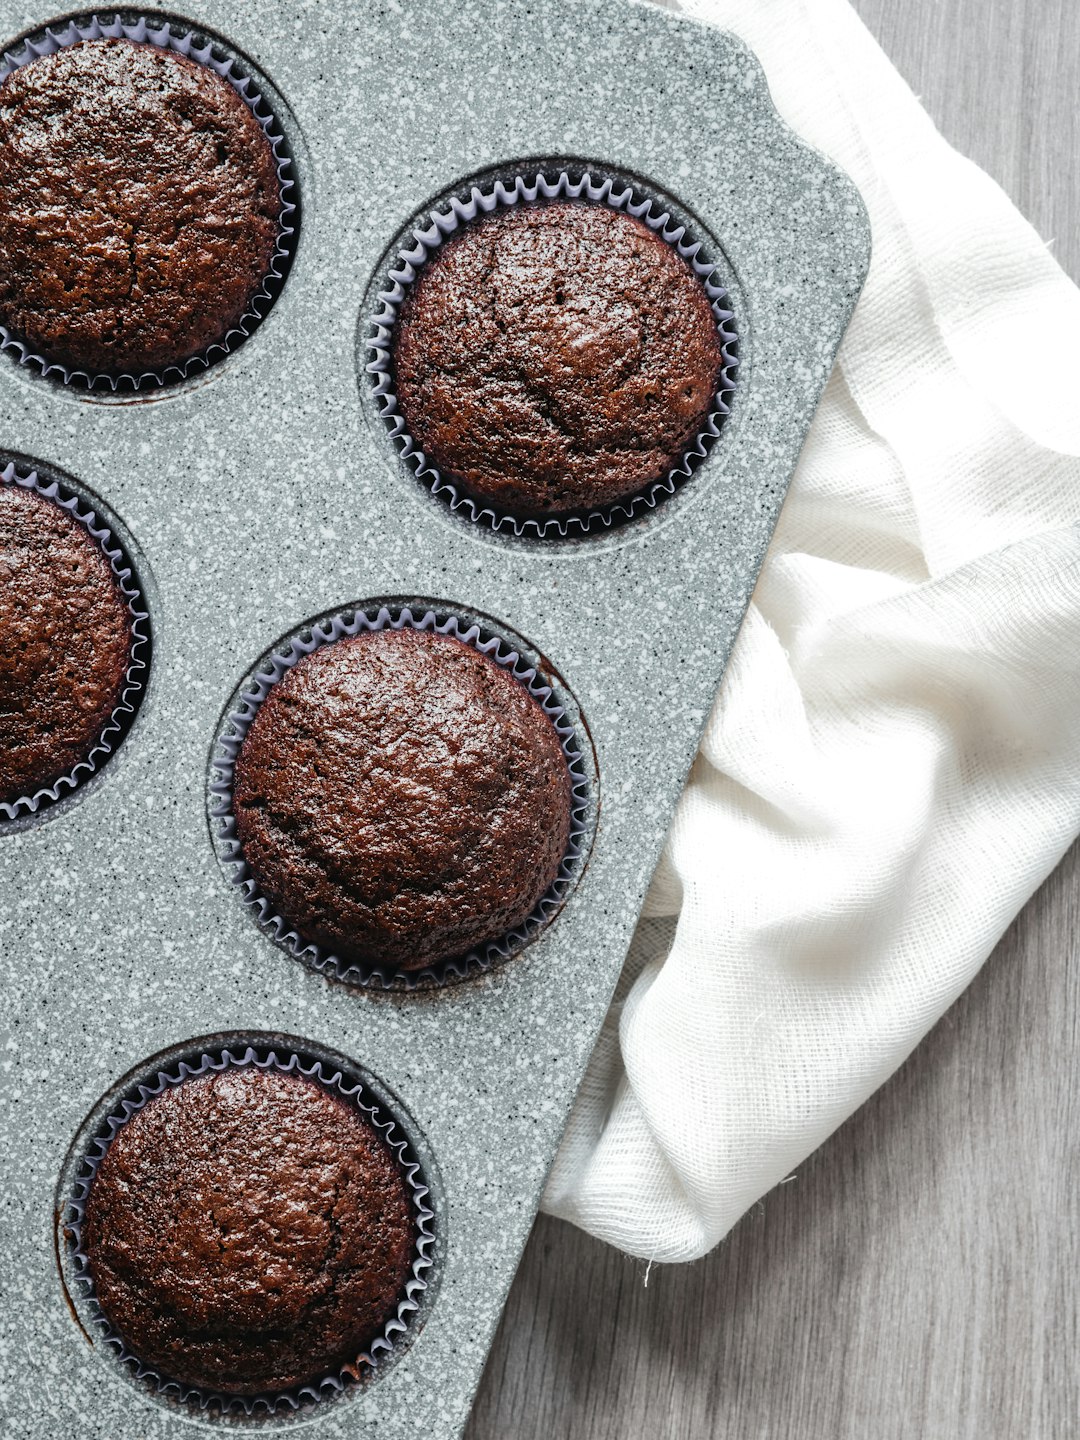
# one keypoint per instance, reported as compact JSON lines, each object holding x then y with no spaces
{"x":919,"y":1279}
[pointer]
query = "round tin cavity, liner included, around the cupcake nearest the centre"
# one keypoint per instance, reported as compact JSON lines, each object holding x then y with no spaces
{"x":512,"y":654}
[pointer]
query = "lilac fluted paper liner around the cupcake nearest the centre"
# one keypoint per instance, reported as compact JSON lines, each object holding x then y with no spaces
{"x":221,"y":798}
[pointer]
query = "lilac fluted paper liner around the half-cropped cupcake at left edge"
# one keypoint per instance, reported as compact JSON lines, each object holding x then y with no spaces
{"x":136,"y":679}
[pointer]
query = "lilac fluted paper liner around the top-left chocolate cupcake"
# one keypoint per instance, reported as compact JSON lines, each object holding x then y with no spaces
{"x":166,"y":40}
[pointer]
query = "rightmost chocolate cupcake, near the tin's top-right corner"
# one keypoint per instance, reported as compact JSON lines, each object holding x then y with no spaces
{"x":557,"y":358}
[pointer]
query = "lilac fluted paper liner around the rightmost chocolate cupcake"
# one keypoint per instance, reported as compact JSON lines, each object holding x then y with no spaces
{"x":518,"y":191}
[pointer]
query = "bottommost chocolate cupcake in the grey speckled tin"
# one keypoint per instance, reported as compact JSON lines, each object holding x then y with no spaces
{"x":248,"y":1232}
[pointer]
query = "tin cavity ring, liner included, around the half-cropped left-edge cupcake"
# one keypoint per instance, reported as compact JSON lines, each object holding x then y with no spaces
{"x":106,"y":532}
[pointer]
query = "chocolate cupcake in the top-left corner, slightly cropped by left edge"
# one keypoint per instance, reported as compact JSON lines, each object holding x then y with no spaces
{"x":139,"y":207}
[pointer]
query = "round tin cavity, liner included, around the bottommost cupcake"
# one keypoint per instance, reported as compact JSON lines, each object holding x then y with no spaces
{"x":215,"y":1055}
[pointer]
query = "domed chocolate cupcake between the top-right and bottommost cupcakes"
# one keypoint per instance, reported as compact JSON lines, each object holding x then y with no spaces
{"x":400,"y":798}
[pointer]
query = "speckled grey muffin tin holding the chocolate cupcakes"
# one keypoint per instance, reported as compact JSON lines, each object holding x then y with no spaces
{"x":266,"y":493}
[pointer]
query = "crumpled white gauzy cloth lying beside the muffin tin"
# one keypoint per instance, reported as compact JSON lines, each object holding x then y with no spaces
{"x":894,"y":764}
